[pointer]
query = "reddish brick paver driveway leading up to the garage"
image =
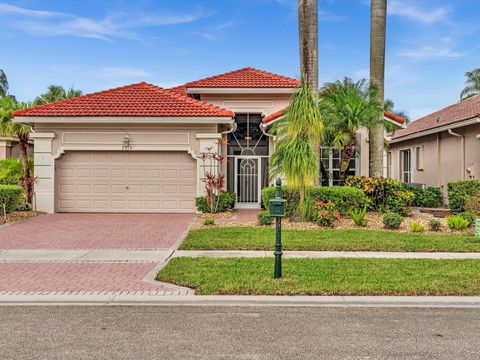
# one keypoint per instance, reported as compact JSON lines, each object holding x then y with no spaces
{"x":87,"y":231}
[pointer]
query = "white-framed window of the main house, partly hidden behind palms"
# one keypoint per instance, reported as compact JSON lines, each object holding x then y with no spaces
{"x":330,"y":166}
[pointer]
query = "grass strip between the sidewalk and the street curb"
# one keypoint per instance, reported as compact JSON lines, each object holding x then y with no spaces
{"x":242,"y":276}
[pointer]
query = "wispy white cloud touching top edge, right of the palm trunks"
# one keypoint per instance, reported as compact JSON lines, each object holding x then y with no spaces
{"x":412,"y":12}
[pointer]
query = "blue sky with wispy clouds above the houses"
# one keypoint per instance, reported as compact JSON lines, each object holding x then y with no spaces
{"x":99,"y":44}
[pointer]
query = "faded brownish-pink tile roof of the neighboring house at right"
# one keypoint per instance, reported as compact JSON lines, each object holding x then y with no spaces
{"x":463,"y":110}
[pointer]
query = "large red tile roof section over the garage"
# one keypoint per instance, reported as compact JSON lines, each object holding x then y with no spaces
{"x":137,"y":100}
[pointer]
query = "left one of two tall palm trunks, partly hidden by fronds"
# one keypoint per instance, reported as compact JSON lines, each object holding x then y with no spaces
{"x":308,"y":41}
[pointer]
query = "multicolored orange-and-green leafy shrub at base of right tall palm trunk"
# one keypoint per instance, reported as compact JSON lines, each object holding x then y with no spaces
{"x":384,"y":194}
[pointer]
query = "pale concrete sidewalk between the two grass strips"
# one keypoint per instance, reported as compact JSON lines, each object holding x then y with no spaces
{"x":325,"y":254}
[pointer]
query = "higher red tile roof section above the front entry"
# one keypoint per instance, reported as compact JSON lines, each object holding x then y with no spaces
{"x":243,"y":78}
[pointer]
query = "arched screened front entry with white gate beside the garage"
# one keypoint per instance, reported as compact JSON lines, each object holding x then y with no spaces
{"x":247,"y":170}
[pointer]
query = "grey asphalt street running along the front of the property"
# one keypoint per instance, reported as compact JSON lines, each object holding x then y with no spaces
{"x":203,"y":332}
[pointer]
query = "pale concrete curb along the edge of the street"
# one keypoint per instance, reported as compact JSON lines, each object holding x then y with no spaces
{"x":122,"y":298}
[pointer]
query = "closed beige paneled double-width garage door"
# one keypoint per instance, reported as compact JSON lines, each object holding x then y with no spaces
{"x":126,"y":182}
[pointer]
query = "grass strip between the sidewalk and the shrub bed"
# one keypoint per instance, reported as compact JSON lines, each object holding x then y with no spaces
{"x":248,"y":238}
